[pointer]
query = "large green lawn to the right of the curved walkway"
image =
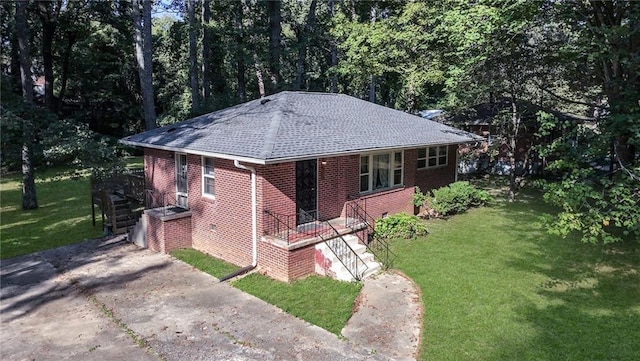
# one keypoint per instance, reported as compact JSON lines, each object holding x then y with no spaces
{"x":495,"y":286}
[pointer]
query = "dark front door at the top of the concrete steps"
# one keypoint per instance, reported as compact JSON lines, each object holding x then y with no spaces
{"x":306,"y":190}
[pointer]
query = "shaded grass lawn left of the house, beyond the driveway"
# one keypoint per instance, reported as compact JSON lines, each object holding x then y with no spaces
{"x":63,"y":216}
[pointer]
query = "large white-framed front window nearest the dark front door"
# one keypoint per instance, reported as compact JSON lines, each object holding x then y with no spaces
{"x":380,"y":171}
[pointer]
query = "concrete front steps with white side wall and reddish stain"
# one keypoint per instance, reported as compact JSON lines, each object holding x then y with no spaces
{"x":328,"y":264}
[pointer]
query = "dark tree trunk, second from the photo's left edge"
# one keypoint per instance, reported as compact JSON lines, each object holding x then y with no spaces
{"x":48,"y":12}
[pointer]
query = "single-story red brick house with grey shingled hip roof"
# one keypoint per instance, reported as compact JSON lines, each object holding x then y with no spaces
{"x":253,"y":184}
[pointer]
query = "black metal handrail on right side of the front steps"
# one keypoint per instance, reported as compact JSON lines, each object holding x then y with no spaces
{"x":379,"y":247}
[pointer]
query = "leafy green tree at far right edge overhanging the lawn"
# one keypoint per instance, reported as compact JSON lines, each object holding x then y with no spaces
{"x":600,"y":207}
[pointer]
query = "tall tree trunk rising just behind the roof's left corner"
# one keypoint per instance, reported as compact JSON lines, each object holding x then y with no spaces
{"x":144,"y":52}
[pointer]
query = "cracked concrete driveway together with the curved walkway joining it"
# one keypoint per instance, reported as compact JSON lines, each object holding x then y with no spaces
{"x":109,"y":300}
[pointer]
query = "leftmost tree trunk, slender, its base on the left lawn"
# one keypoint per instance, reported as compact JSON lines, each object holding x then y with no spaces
{"x":29,"y":198}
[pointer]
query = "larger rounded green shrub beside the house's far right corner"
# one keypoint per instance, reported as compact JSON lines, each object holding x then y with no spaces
{"x":456,"y":198}
